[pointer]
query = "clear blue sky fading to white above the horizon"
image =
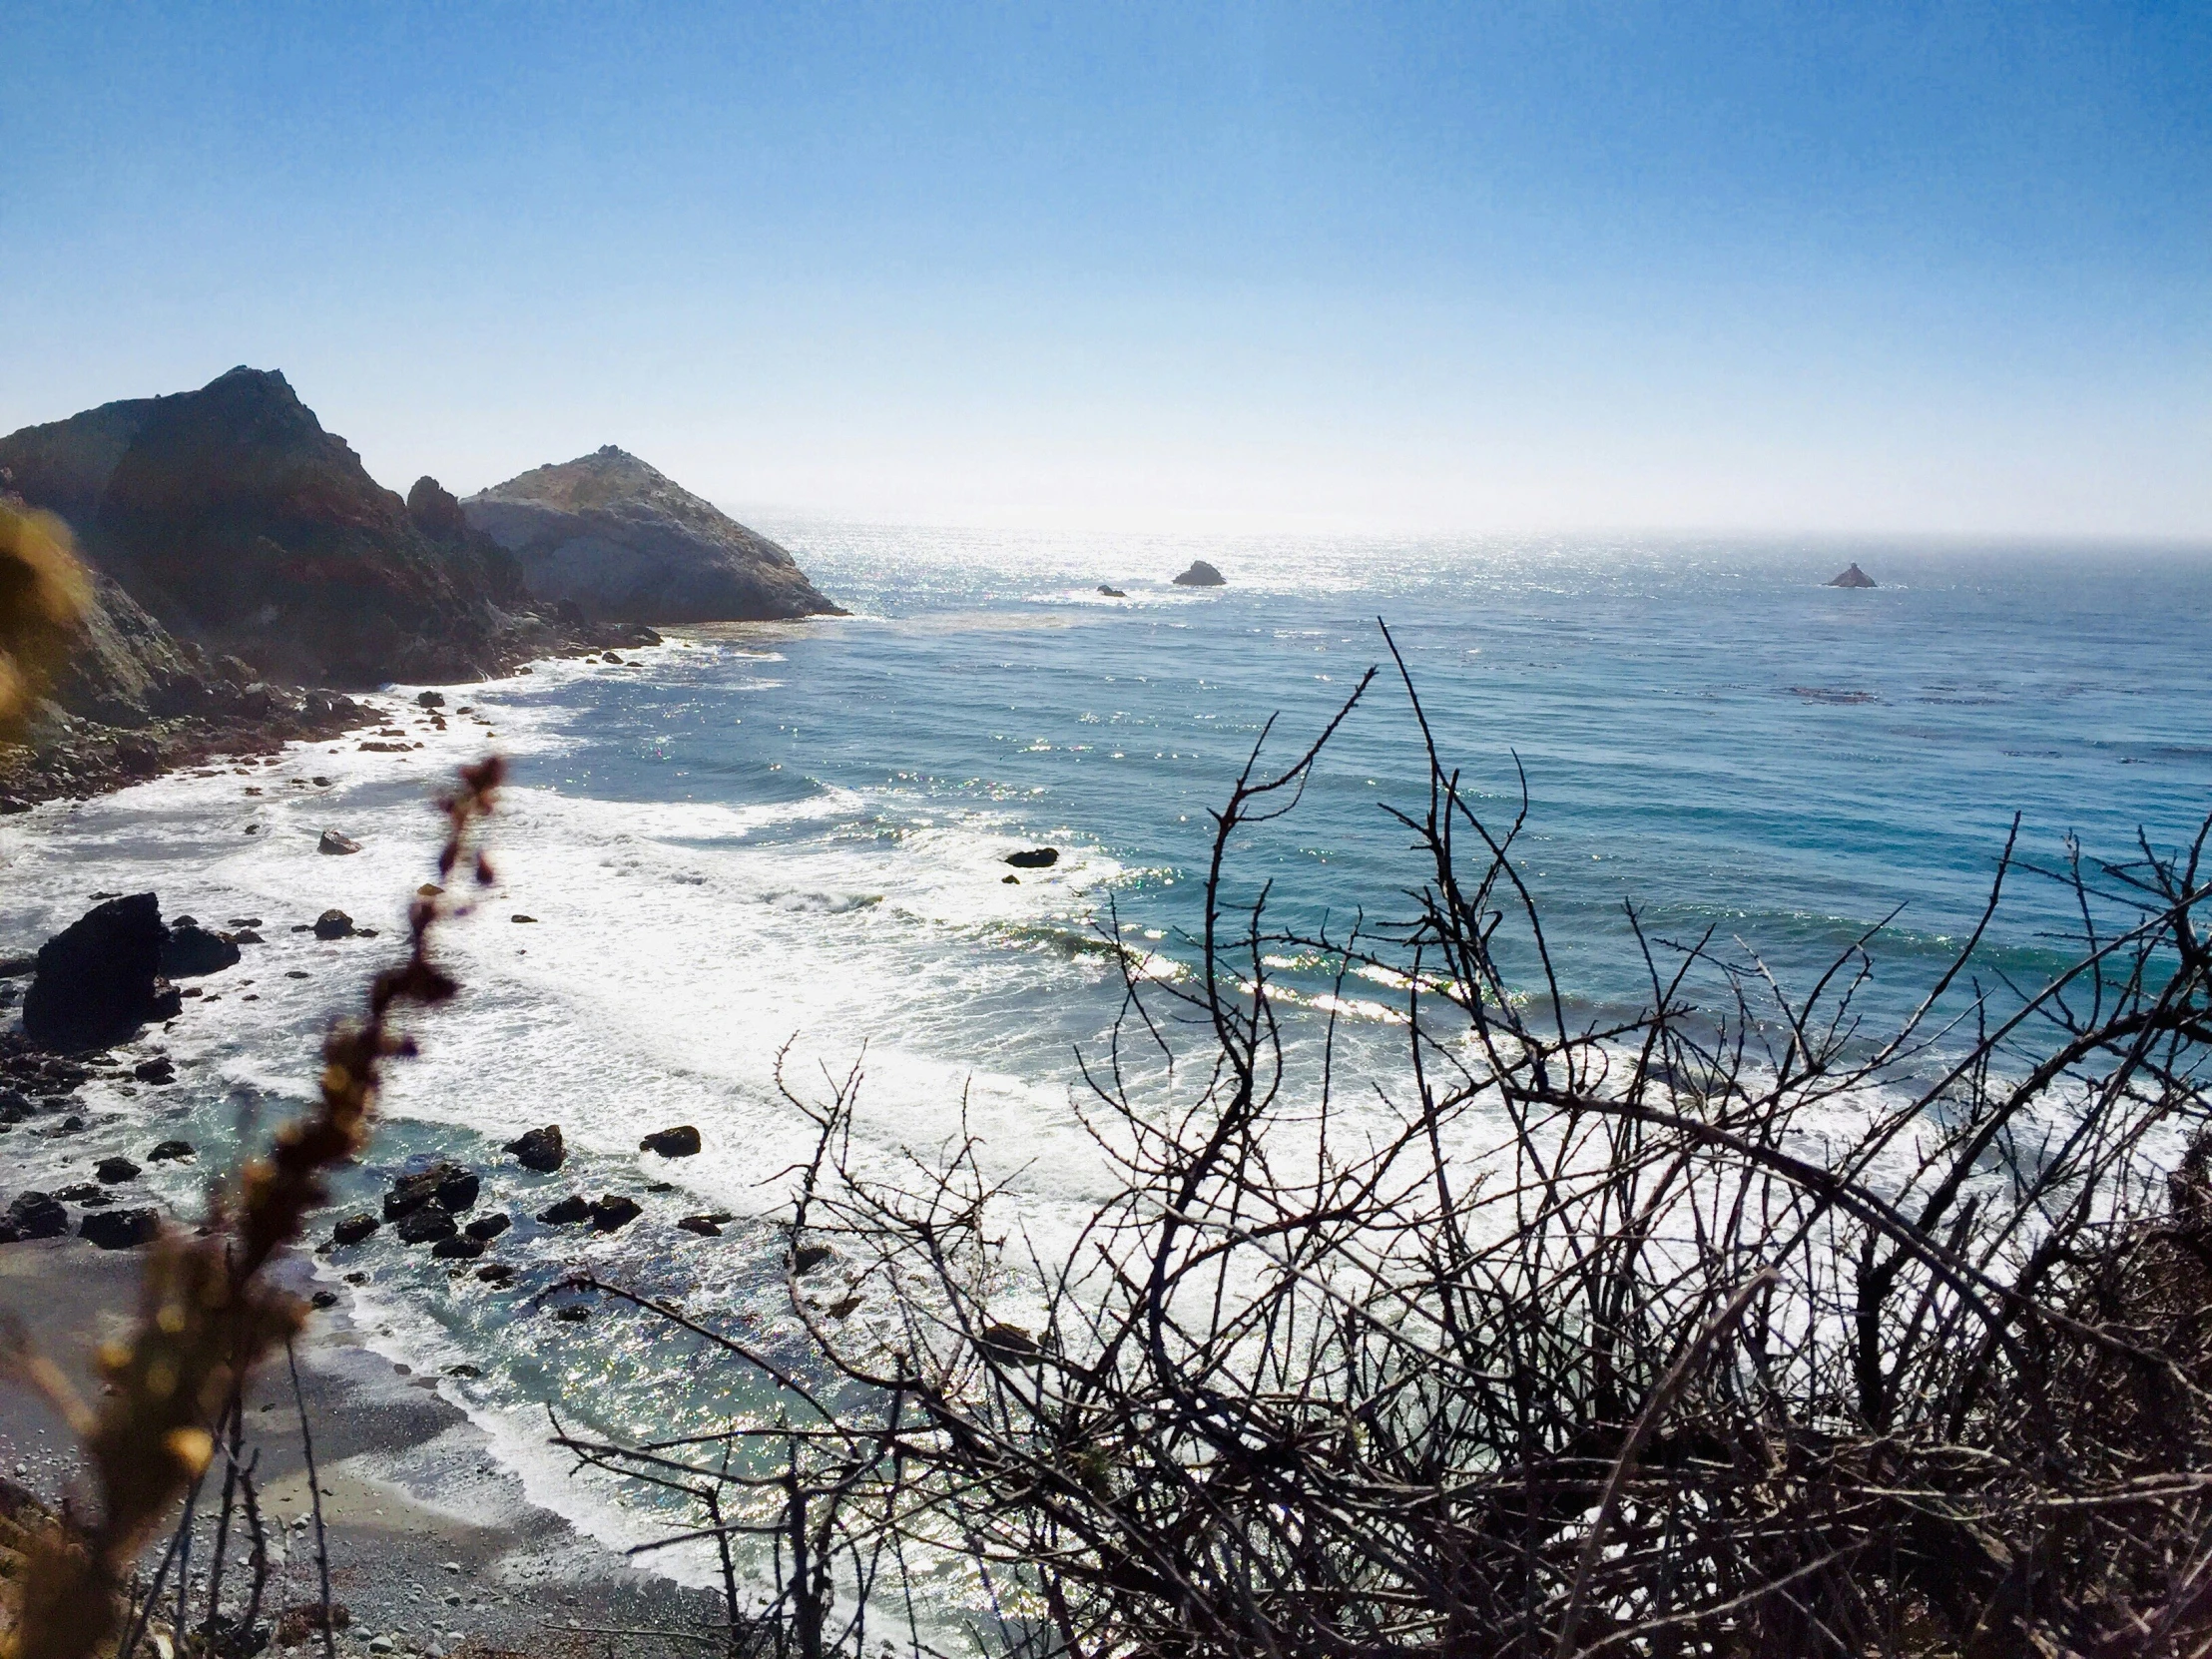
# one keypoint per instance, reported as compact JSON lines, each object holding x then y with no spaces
{"x":1253,"y":267}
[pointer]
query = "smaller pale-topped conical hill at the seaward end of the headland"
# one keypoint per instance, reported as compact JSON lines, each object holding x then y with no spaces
{"x":623,"y":543}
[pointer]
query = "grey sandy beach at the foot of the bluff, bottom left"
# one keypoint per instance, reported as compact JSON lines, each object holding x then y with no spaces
{"x":432,"y":1545}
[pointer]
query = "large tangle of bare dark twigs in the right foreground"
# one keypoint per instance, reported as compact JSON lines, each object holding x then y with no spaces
{"x":1731,"y":1326}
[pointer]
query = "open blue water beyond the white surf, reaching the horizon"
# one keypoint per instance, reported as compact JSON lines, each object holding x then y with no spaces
{"x":1707,"y":731}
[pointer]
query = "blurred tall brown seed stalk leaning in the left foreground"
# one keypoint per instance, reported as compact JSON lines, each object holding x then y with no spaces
{"x":209,"y":1313}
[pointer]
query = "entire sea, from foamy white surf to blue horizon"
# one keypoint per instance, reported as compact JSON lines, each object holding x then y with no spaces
{"x":769,"y":848}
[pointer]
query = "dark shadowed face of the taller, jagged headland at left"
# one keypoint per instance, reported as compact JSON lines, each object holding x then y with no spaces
{"x":242,"y":525}
